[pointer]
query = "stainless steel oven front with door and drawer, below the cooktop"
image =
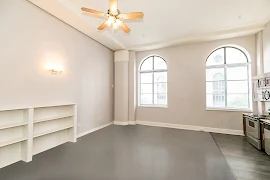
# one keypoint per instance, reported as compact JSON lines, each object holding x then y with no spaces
{"x":253,"y":131}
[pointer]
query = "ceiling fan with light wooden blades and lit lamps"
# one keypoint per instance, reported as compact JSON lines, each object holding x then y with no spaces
{"x":114,"y":16}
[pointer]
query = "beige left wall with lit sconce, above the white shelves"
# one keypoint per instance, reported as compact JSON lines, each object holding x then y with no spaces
{"x":30,"y":40}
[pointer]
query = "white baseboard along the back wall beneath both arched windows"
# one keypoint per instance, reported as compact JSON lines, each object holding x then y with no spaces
{"x":194,"y":128}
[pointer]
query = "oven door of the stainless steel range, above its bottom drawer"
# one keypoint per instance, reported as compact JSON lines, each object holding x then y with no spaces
{"x":253,"y":128}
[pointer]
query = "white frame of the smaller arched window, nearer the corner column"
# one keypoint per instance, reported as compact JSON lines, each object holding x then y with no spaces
{"x":153,"y":83}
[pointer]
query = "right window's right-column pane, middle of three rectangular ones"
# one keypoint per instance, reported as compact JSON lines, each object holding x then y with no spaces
{"x":237,"y":87}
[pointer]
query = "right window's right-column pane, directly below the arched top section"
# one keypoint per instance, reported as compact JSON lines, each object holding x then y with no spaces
{"x":237,"y":73}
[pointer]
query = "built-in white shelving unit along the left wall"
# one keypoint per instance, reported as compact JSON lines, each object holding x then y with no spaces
{"x":29,"y":131}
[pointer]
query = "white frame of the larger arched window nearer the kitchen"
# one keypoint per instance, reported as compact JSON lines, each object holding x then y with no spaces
{"x":225,"y":66}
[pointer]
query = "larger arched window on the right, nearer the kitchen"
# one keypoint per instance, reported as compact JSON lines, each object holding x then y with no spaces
{"x":228,"y":79}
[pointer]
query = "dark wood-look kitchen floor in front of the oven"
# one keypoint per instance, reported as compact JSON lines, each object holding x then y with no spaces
{"x":246,"y":161}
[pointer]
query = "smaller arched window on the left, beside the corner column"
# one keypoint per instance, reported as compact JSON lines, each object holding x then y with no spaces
{"x":153,"y":82}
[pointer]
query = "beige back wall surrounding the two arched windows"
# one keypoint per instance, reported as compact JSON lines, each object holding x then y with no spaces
{"x":186,"y":86}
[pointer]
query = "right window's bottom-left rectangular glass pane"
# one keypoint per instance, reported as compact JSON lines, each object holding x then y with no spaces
{"x":215,"y":100}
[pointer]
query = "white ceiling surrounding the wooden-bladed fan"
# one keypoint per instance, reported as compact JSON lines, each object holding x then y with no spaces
{"x":166,"y":22}
